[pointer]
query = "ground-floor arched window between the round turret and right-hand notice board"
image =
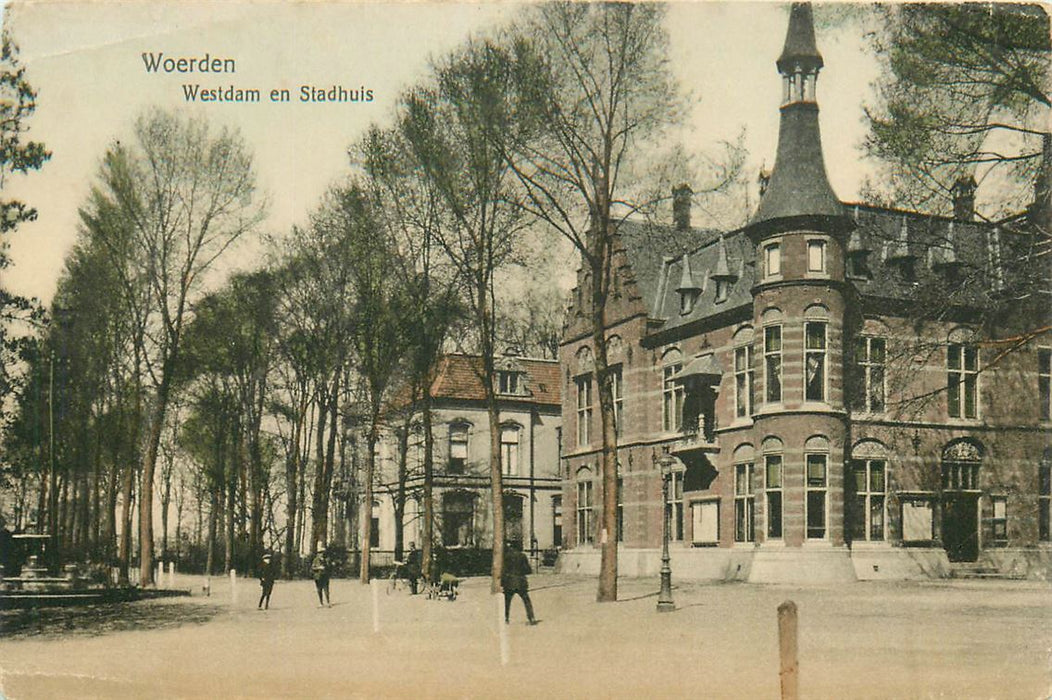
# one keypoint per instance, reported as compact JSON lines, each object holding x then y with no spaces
{"x":867,"y":490}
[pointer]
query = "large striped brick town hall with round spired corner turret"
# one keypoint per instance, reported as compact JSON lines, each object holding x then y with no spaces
{"x":827,"y":422}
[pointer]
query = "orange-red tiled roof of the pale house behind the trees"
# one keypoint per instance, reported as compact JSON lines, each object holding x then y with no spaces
{"x":458,"y":377}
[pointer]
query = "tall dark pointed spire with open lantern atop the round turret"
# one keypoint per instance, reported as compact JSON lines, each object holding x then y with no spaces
{"x":799,"y":186}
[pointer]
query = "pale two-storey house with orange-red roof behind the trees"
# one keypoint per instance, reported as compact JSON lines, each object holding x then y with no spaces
{"x":529,"y":398}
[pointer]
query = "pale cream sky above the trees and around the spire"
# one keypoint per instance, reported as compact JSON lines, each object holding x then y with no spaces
{"x":85,"y":59}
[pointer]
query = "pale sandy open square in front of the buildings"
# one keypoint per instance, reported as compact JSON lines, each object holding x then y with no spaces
{"x":939,"y":639}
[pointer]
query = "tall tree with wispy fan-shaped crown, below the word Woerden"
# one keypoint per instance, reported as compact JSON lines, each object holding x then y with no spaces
{"x":188,"y":195}
